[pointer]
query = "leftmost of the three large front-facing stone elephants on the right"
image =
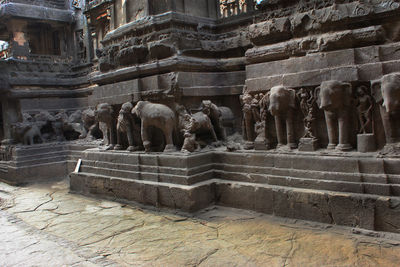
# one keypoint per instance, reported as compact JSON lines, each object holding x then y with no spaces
{"x":282,"y":103}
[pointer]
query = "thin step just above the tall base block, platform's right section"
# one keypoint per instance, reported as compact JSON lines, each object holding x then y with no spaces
{"x":330,"y":185}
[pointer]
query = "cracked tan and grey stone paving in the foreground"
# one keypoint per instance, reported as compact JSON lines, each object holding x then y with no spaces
{"x":44,"y":225}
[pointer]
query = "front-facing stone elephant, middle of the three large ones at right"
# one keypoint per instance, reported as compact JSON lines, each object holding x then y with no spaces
{"x":335,"y":98}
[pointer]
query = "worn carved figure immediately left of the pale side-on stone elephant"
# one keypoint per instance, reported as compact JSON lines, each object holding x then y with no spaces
{"x":126,"y":126}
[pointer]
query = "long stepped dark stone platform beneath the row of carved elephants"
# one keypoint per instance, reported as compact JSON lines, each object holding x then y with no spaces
{"x":359,"y":191}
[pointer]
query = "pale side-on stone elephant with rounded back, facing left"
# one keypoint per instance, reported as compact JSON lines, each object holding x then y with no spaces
{"x":159,"y":116}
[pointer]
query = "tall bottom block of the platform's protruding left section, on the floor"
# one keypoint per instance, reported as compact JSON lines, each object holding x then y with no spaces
{"x":183,"y":197}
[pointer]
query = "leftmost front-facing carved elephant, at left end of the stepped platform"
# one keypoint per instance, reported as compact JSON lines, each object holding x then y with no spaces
{"x":104,"y":115}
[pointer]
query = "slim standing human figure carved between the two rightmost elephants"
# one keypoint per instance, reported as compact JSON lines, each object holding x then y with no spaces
{"x":364,"y":108}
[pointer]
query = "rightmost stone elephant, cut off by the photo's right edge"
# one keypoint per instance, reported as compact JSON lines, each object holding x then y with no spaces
{"x":386,"y":93}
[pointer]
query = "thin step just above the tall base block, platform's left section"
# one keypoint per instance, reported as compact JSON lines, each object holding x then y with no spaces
{"x":148,"y":176}
